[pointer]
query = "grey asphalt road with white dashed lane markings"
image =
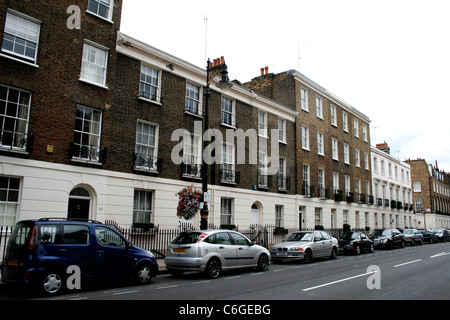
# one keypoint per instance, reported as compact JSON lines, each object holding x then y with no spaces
{"x":420,"y":272}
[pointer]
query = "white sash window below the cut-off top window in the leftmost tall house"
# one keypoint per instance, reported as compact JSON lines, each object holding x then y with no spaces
{"x":87,"y":65}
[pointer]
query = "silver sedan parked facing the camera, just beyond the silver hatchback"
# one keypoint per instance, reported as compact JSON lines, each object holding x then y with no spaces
{"x":305,"y":245}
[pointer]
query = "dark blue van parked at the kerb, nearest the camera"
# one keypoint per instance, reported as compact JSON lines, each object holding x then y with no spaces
{"x":40,"y":252}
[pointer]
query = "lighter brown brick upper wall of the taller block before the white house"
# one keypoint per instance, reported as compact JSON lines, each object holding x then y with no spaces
{"x":286,"y":88}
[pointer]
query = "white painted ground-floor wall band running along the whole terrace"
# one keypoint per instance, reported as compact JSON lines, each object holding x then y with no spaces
{"x":31,"y":190}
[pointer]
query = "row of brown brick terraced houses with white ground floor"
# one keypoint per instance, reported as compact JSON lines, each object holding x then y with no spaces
{"x":96,"y":124}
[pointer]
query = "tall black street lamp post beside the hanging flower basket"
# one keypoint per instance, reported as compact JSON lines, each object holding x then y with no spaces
{"x":224,"y":84}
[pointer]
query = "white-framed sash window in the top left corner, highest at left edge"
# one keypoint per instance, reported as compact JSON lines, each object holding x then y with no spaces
{"x":25,"y":34}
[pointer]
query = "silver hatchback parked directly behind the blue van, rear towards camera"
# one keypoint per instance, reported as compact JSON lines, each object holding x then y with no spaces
{"x":213,"y":251}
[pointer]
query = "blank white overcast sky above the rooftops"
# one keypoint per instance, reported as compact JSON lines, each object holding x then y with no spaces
{"x":390,"y":59}
